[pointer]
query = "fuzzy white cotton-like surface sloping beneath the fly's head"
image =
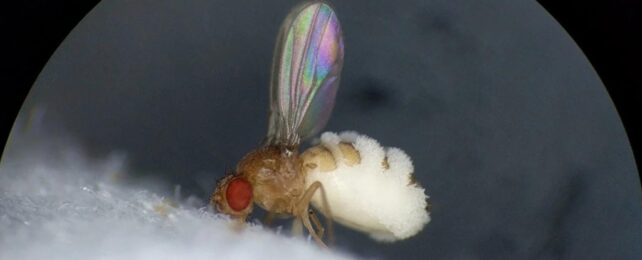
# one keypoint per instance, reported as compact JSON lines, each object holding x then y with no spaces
{"x":69,"y":207}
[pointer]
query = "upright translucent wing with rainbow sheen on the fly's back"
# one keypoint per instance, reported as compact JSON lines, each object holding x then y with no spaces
{"x":307,"y":64}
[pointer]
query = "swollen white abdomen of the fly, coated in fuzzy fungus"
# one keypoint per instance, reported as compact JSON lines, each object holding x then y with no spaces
{"x":368,"y":197}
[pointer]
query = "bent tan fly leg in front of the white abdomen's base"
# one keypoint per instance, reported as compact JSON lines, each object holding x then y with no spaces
{"x":303,"y":213}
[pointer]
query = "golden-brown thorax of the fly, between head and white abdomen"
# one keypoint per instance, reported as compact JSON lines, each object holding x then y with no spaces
{"x":276,"y":177}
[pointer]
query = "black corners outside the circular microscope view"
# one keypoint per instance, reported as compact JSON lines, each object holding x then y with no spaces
{"x":608,"y":33}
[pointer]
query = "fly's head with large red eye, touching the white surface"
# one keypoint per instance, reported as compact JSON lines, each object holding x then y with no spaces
{"x":233,"y":196}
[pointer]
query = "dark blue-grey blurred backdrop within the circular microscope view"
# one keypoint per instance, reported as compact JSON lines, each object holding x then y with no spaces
{"x":509,"y":128}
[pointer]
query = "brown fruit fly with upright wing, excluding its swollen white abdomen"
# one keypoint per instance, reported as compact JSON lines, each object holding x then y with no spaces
{"x":308,"y":59}
